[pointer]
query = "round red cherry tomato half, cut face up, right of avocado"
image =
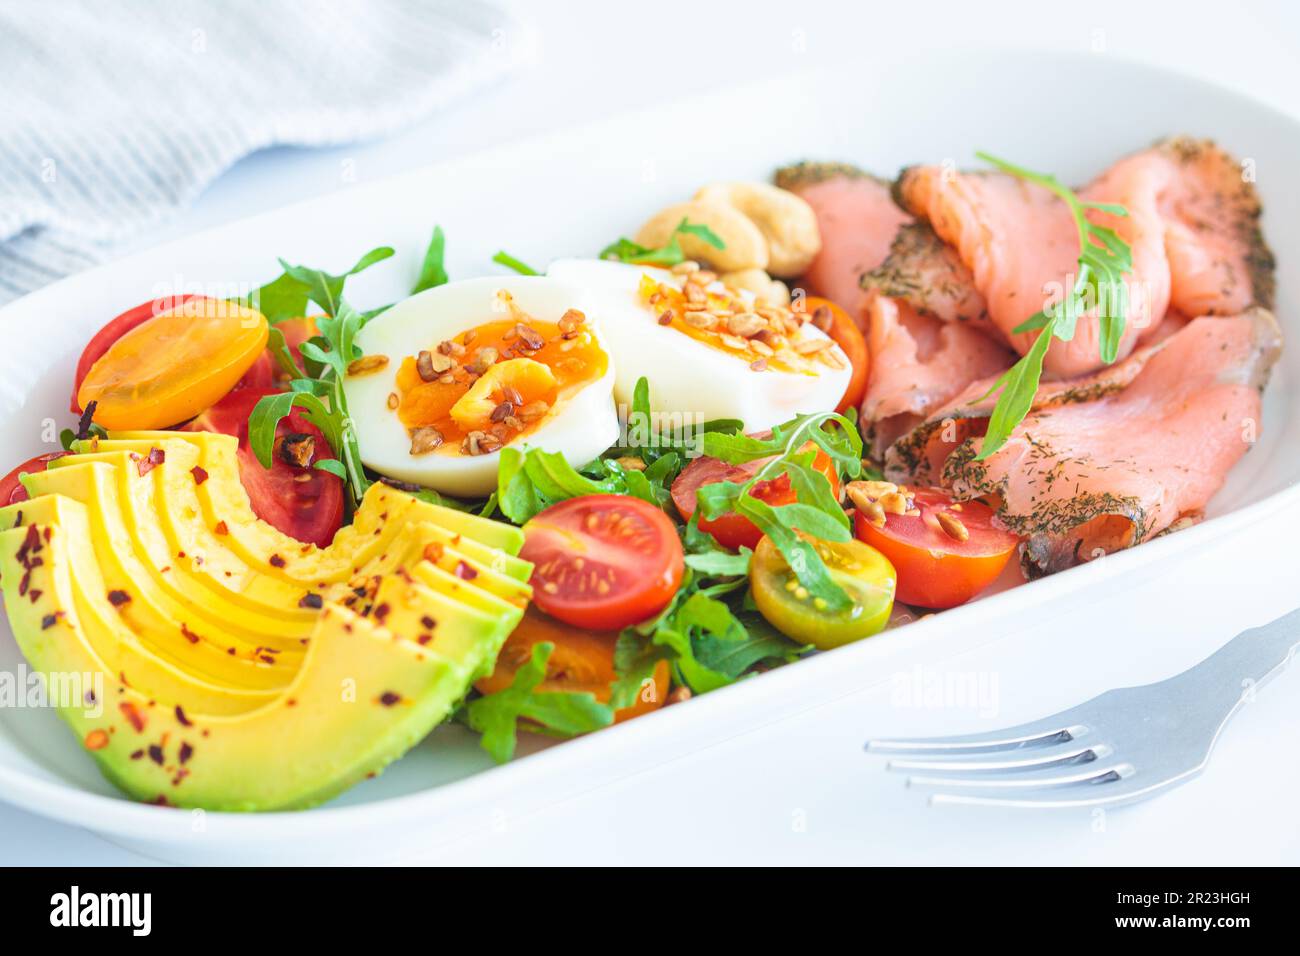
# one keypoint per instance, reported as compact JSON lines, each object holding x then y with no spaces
{"x":604,"y":561}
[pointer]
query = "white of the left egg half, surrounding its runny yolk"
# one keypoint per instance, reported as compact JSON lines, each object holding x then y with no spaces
{"x":580,"y":429}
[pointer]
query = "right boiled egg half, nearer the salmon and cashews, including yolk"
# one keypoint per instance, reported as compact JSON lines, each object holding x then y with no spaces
{"x":707,"y":351}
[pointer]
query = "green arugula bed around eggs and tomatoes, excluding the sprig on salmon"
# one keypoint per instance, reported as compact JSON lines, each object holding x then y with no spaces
{"x":710,"y":635}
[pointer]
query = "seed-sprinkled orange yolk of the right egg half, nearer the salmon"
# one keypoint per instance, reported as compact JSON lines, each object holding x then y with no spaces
{"x":765,"y":339}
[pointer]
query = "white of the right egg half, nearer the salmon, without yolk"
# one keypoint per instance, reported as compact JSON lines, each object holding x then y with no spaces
{"x":688,"y":377}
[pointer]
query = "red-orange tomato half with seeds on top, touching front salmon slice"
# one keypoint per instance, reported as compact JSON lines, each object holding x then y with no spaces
{"x":935,"y":568}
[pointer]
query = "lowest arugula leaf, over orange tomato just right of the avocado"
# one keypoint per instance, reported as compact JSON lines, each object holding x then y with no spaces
{"x":497,"y":716}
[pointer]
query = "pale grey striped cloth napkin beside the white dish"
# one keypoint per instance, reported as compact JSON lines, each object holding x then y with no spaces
{"x":116,"y":116}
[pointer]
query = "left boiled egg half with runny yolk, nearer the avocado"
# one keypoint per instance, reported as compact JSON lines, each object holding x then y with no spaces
{"x":458,"y":373}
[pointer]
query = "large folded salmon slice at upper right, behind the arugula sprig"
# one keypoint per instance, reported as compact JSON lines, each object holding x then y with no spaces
{"x":1193,"y":227}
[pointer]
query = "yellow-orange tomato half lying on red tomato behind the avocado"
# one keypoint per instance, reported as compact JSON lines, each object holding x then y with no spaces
{"x":172,"y":367}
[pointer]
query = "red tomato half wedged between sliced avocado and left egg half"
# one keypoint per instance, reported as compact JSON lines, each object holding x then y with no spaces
{"x":309,"y":509}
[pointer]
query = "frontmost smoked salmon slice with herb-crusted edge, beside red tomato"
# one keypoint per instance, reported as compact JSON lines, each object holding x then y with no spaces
{"x":1108,"y":461}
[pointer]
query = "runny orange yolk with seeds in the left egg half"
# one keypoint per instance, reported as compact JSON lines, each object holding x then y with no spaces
{"x":495,"y":383}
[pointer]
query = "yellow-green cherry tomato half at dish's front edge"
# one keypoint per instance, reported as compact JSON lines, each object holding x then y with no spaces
{"x":865,"y":574}
